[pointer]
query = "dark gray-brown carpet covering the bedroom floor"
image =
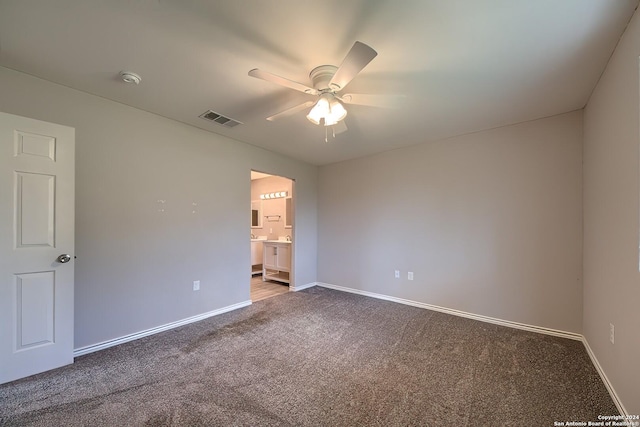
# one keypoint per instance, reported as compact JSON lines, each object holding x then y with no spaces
{"x":320,"y":358}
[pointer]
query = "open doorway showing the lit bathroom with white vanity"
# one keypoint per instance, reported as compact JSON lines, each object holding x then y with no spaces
{"x":272,"y":235}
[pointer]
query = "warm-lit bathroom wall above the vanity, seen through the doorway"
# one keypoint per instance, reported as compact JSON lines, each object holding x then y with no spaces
{"x":272,"y":228}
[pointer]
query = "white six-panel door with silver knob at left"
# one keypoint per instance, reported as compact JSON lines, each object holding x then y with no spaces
{"x":36,"y":228}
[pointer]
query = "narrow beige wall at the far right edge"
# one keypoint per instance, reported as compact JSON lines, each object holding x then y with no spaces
{"x":611,"y":278}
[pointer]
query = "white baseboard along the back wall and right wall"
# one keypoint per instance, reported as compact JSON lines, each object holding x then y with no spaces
{"x":507,"y":323}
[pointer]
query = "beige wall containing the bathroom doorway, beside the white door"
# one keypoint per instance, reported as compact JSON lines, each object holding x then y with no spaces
{"x":135,"y":265}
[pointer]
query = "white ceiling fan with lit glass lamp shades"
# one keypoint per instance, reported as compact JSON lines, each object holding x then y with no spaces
{"x":328,"y":81}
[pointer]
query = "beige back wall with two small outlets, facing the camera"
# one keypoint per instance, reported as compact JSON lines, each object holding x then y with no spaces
{"x":490,"y":223}
